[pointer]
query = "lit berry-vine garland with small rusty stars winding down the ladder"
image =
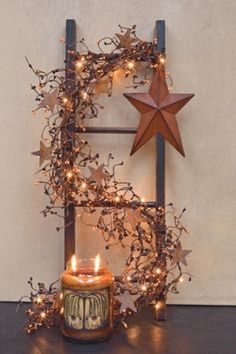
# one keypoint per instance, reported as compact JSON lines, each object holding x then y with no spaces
{"x":153,"y":267}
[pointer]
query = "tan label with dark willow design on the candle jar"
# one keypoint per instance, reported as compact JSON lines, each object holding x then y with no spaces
{"x":86,"y":310}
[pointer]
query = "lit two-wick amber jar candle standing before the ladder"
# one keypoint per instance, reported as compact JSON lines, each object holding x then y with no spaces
{"x":86,"y":301}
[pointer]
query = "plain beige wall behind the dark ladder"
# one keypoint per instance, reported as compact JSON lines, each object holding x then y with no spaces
{"x":202,"y":56}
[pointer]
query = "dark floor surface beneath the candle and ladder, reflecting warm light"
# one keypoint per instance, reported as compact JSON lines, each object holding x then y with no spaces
{"x":188,"y":330}
